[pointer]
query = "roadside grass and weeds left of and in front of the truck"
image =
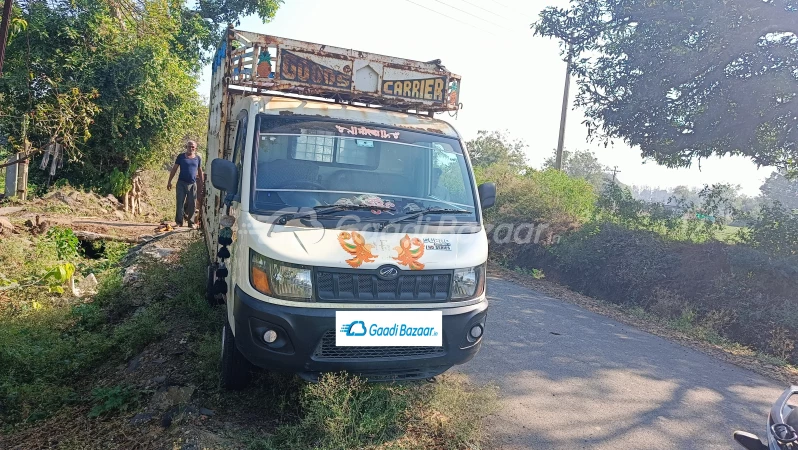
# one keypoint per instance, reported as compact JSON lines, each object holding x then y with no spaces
{"x":63,"y":353}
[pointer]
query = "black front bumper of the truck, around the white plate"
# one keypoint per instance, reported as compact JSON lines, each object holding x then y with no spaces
{"x":304,"y":347}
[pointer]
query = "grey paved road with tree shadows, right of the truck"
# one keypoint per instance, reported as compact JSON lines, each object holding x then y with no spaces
{"x":572,"y":379}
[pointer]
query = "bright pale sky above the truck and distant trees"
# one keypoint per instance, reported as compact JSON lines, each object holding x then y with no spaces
{"x":512,"y":81}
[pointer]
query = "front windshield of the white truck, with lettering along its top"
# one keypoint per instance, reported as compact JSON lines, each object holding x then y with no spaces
{"x":313,"y":164}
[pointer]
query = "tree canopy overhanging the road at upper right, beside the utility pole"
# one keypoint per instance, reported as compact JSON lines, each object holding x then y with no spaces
{"x":686,"y":79}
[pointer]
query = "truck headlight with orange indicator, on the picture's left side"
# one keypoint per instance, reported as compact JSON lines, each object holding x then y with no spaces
{"x":279,"y":279}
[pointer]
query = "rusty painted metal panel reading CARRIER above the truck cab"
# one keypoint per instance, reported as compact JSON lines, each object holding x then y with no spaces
{"x":267,"y":64}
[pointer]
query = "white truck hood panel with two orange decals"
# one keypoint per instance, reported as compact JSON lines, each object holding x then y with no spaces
{"x":363,"y":249}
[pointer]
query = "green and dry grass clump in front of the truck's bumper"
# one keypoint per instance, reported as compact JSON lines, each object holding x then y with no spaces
{"x":342,"y":412}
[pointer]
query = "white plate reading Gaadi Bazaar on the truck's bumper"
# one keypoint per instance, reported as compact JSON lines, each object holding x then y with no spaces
{"x":388,"y":328}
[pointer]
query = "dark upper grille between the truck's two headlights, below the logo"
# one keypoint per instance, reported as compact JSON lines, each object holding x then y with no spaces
{"x":340,"y":285}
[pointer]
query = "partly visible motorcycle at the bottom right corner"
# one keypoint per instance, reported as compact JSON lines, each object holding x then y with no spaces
{"x":781,"y":426}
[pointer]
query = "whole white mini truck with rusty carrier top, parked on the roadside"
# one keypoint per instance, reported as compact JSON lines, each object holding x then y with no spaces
{"x":343,"y":222}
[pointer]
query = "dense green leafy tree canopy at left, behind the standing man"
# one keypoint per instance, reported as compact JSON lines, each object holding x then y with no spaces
{"x":114,"y":82}
